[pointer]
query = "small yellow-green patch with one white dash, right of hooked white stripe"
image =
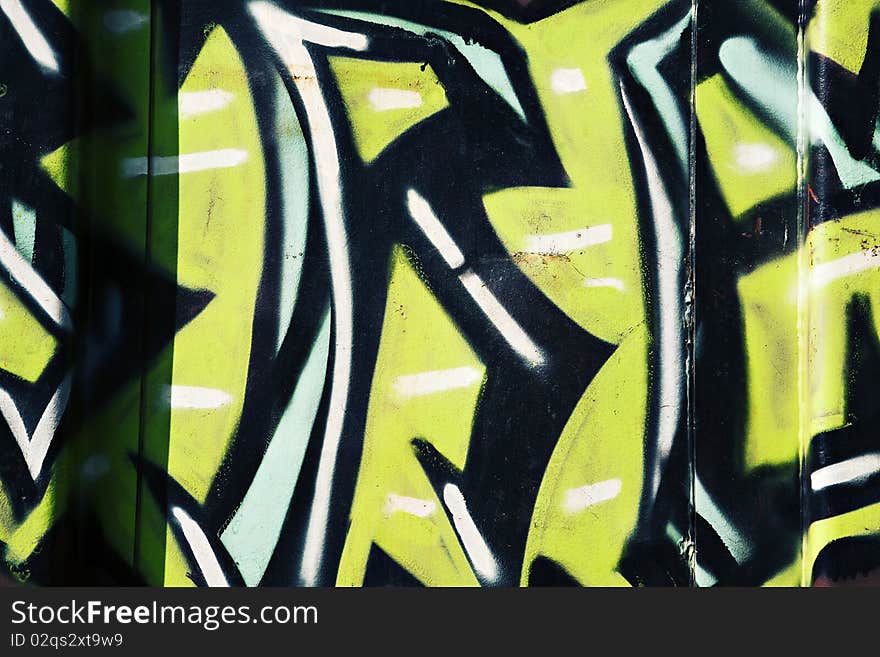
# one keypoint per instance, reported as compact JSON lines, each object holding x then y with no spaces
{"x":373,"y":129}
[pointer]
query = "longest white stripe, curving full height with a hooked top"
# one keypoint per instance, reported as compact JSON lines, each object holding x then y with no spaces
{"x":286,"y":34}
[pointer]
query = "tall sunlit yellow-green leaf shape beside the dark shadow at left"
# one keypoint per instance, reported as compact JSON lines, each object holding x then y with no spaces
{"x":220,"y":249}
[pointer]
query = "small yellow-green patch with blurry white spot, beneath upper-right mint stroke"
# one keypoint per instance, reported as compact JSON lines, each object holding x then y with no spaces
{"x":751,"y":163}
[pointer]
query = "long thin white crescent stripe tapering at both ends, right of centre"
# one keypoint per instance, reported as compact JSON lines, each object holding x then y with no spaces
{"x":669,"y":301}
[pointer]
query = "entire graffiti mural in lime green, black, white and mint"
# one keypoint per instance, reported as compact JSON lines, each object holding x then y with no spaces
{"x":440,"y":293}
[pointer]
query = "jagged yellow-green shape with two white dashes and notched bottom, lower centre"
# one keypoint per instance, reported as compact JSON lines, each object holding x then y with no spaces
{"x":417,"y":336}
